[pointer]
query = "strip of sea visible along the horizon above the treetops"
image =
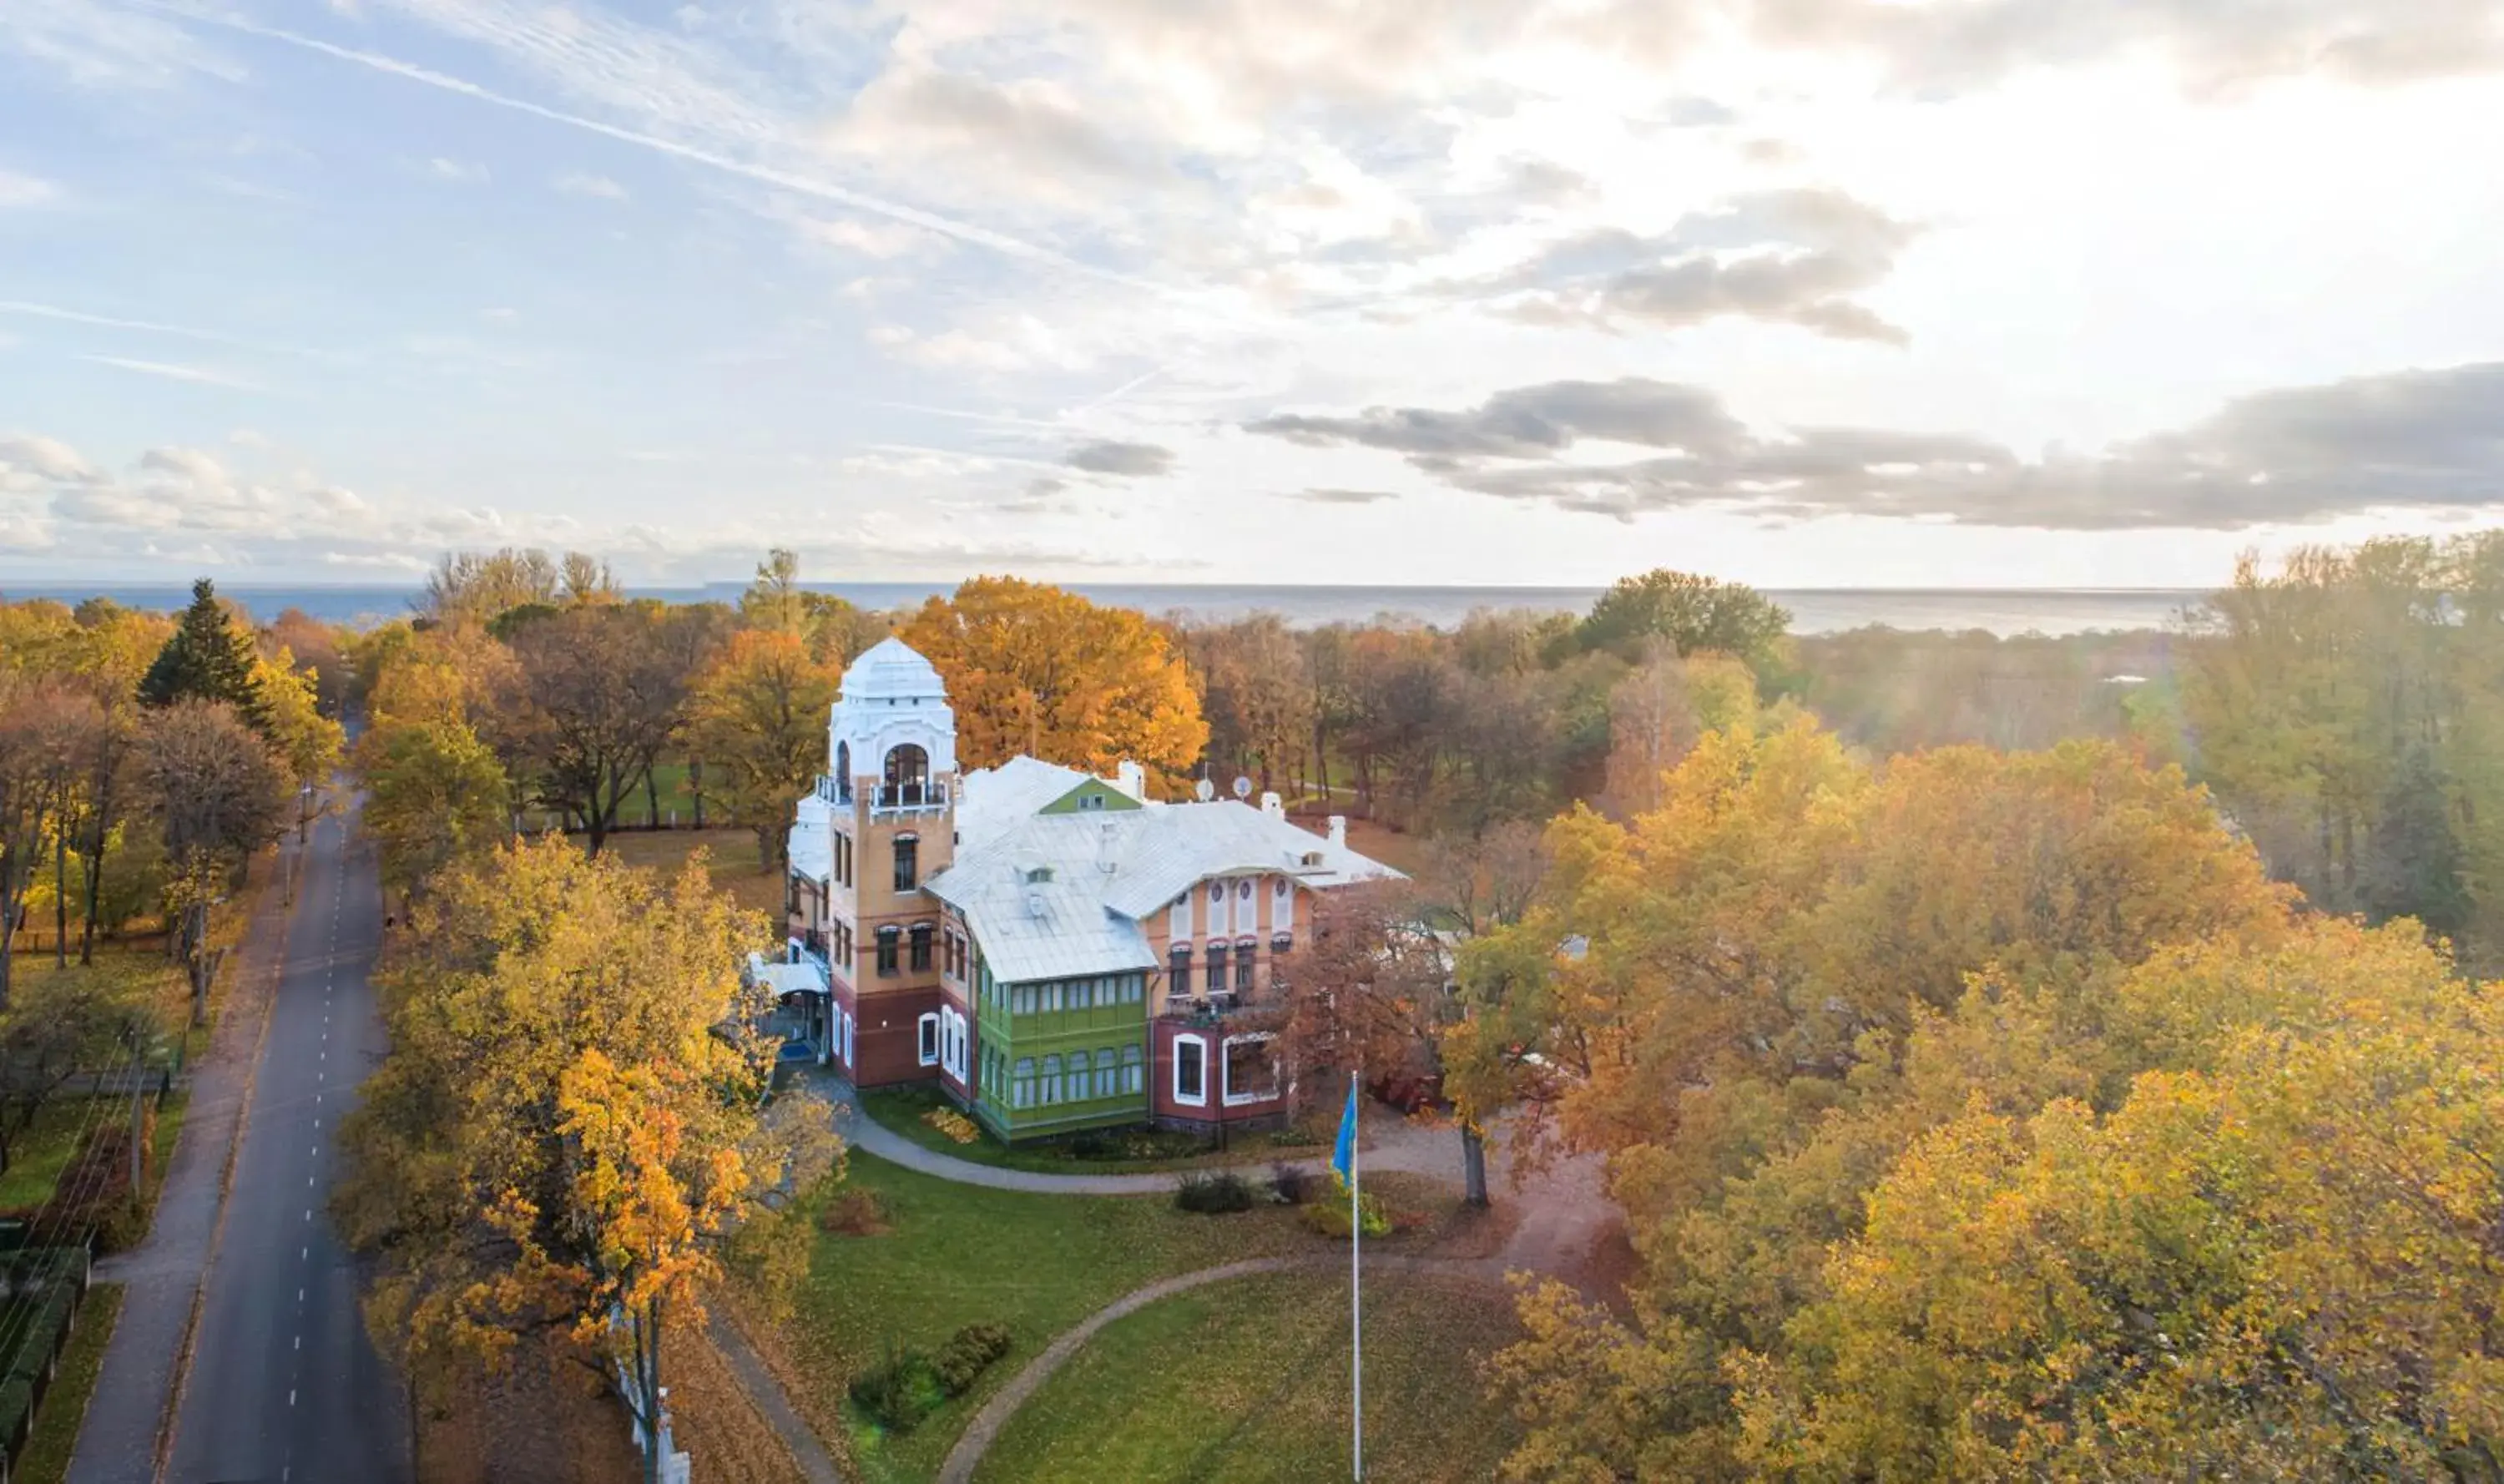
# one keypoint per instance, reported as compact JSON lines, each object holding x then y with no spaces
{"x":2004,"y":612}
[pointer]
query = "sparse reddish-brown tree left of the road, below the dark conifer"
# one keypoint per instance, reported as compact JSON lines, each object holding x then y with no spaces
{"x":219,"y":795}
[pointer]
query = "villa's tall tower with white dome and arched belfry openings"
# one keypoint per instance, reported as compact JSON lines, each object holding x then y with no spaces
{"x":893,"y":820}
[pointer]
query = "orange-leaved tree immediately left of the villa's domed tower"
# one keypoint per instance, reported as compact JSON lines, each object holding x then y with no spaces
{"x":760,"y":724}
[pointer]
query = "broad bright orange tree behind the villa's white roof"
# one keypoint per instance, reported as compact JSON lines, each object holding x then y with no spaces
{"x":1043,"y":672}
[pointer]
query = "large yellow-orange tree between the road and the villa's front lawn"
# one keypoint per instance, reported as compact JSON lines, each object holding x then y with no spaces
{"x":572,"y":1115}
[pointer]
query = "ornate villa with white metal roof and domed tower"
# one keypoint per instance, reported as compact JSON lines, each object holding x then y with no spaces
{"x":1055,"y":950}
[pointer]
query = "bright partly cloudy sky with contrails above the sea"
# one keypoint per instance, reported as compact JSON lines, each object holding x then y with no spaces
{"x":1291,"y":292}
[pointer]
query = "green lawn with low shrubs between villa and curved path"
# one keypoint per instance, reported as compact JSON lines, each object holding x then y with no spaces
{"x":965,"y":1255}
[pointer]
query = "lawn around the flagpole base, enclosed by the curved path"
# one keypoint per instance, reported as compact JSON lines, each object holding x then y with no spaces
{"x":1248,"y":1383}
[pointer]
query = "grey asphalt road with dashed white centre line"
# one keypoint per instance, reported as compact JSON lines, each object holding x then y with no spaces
{"x":284,"y":1383}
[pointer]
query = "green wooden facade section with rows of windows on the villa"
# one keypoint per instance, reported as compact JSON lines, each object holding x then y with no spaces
{"x":1060,"y":1055}
